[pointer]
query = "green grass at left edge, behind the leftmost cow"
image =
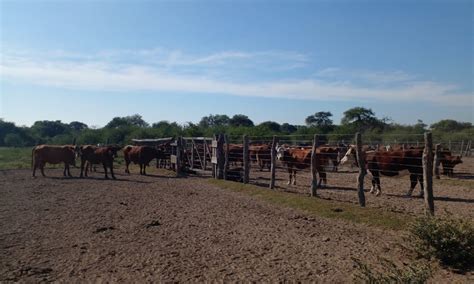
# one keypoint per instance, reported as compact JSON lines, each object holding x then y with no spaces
{"x":15,"y":158}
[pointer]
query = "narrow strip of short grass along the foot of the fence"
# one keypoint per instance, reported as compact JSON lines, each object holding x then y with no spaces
{"x":322,"y":208}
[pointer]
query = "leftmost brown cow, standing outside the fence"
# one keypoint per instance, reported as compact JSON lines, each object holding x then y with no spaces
{"x":42,"y":154}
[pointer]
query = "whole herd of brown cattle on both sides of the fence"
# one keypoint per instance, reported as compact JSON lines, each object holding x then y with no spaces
{"x":387,"y":161}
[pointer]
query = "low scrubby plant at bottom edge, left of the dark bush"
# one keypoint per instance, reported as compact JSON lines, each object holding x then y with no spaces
{"x":412,"y":273}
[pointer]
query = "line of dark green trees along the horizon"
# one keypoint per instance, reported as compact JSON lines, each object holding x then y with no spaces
{"x":120,"y":130}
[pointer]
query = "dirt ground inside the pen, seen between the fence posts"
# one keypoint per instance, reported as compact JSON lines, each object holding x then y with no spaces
{"x":452,"y":195}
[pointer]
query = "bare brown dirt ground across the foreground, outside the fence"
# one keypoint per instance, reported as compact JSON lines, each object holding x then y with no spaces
{"x":160,"y":228}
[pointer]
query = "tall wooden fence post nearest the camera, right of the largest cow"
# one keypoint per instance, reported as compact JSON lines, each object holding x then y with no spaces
{"x":428,"y":174}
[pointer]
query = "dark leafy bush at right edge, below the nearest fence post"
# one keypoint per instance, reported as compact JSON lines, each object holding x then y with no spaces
{"x":451,"y":241}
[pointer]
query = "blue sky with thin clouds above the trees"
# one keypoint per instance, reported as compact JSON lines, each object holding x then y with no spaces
{"x":279,"y":60}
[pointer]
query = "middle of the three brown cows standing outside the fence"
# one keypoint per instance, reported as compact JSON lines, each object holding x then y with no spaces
{"x":105,"y":155}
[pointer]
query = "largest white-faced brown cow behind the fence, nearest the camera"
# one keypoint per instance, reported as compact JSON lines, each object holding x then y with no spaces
{"x":390,"y":163}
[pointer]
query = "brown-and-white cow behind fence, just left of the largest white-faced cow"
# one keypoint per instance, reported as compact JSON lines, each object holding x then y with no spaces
{"x":300,"y":159}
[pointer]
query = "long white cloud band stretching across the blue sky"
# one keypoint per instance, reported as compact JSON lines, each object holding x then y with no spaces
{"x":329,"y":85}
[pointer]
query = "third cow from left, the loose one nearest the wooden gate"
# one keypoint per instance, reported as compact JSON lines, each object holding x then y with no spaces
{"x":141,"y":155}
